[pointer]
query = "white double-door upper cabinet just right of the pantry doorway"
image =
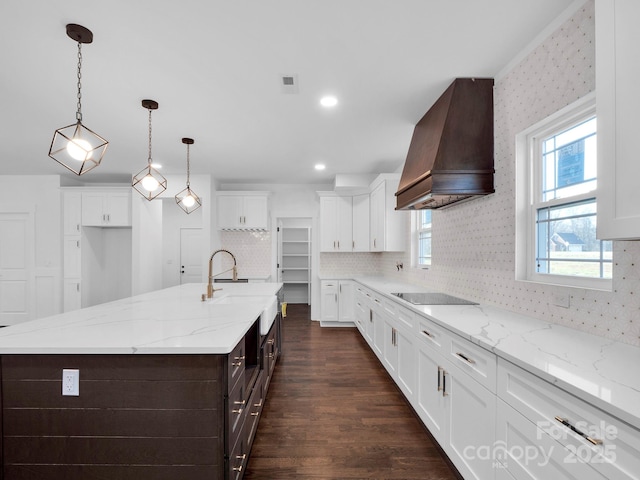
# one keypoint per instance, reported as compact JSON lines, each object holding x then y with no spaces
{"x":336,"y":224}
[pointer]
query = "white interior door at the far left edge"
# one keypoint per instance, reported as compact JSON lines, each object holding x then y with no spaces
{"x":16,"y":267}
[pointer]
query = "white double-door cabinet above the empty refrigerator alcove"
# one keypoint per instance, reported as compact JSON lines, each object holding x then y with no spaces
{"x":106,"y":208}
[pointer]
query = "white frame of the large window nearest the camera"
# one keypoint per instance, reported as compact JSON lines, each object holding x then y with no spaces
{"x":527,"y":181}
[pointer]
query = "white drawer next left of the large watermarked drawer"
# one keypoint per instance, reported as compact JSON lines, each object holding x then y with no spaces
{"x":477,"y":362}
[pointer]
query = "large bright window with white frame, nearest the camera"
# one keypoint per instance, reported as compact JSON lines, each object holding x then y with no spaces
{"x":560,"y":212}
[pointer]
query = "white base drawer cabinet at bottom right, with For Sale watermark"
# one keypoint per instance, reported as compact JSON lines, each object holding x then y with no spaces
{"x":563,"y":436}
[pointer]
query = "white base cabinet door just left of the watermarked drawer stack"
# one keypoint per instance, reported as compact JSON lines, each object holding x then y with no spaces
{"x":471,"y":421}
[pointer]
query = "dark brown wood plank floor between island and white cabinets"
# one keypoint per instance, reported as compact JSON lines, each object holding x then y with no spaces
{"x":333,"y":412}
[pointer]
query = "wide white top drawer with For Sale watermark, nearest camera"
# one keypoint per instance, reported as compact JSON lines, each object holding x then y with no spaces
{"x":609,"y":445}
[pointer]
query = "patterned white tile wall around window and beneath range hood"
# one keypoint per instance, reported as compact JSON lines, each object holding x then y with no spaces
{"x":474,"y":243}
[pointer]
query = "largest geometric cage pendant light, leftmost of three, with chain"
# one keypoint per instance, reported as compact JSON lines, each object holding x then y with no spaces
{"x":76,"y":147}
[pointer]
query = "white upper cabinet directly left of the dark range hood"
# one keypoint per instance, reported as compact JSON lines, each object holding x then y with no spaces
{"x":388,"y":227}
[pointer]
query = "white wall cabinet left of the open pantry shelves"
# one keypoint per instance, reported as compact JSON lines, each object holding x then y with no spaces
{"x":243,"y":210}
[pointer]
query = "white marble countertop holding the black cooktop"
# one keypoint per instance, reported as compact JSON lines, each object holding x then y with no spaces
{"x":600,"y":371}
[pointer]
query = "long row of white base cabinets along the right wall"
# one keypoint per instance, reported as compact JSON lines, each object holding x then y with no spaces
{"x":493,"y":419}
